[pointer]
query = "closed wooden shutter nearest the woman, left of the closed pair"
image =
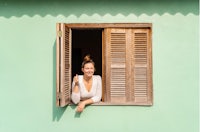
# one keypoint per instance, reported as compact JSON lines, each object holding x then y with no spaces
{"x":116,"y":77}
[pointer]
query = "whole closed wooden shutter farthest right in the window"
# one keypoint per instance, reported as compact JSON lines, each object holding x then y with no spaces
{"x":141,"y":67}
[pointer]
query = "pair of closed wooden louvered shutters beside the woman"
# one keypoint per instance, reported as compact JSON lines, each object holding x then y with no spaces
{"x":128,"y":66}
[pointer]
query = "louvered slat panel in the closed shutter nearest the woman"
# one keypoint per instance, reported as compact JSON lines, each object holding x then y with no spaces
{"x":118,"y":48}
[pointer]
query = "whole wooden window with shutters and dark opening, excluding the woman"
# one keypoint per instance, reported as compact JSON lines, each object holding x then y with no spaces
{"x":123,"y":52}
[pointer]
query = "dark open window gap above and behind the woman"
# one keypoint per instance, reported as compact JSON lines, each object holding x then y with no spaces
{"x":86,"y":41}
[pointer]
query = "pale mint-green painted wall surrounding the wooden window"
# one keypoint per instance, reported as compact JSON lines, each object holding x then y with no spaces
{"x":27,"y":66}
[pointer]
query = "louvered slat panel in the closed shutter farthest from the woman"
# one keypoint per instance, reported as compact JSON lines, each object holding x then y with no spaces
{"x":141,"y":65}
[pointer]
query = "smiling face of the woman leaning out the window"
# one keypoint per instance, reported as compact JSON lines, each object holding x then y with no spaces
{"x":88,"y":69}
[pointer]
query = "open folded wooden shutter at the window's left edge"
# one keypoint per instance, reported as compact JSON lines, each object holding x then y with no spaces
{"x":63,"y":65}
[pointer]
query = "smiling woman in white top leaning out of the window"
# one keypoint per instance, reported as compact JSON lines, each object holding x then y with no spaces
{"x":86,"y":88}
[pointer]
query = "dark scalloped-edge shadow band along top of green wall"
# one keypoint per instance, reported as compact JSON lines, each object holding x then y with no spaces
{"x":9,"y":8}
